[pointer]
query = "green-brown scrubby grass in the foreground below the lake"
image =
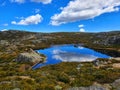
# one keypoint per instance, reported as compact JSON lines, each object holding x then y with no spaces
{"x":64,"y":75}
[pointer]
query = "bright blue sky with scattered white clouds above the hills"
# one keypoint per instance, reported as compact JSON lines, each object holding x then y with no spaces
{"x":60,"y":15}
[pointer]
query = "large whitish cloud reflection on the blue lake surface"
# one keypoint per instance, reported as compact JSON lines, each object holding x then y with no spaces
{"x":71,"y":56}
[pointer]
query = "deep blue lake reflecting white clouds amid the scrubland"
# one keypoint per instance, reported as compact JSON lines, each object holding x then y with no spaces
{"x":68,"y":53}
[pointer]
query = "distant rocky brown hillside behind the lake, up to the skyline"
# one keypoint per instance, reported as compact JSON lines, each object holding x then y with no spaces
{"x":15,"y":41}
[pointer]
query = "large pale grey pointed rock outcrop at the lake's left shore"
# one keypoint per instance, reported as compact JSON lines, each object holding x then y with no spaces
{"x":30,"y":56}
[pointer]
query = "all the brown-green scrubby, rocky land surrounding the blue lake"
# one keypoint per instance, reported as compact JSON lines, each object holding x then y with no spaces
{"x":16,"y":74}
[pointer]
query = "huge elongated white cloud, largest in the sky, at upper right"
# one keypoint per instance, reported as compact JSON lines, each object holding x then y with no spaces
{"x":77,"y":10}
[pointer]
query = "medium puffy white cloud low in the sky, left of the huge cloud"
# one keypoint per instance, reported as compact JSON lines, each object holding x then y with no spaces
{"x":34,"y":19}
